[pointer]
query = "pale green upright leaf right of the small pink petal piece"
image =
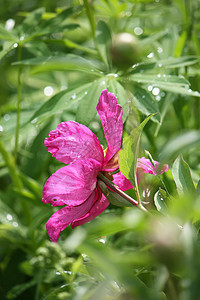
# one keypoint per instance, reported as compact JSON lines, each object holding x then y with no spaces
{"x":182,"y":176}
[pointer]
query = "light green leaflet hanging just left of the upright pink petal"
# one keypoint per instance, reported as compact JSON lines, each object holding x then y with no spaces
{"x":86,"y":113}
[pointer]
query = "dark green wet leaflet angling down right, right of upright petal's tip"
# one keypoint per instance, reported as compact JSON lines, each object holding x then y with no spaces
{"x":145,"y":103}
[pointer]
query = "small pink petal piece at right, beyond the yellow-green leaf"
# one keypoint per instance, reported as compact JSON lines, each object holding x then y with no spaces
{"x":144,"y":165}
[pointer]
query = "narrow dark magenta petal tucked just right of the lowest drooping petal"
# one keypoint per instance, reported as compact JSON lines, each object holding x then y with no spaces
{"x":98,"y":207}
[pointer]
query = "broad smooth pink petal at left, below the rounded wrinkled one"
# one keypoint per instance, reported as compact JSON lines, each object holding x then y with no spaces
{"x":72,"y":184}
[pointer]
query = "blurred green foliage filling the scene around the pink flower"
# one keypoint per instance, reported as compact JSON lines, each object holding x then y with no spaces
{"x":55,"y":61}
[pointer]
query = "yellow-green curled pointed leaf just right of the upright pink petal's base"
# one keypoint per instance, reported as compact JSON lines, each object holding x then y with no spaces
{"x":129,"y":153}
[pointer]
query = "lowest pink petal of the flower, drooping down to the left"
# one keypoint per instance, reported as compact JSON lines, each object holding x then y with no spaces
{"x":63,"y":217}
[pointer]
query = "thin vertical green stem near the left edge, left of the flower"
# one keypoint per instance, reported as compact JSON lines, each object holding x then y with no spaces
{"x":19,"y":88}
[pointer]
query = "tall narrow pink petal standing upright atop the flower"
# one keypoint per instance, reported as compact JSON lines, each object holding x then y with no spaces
{"x":110,"y":114}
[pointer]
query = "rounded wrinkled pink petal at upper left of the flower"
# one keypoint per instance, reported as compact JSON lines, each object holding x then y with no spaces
{"x":72,"y":141}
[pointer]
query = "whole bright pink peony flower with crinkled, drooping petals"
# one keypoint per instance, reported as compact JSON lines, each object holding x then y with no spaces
{"x":75,"y":186}
